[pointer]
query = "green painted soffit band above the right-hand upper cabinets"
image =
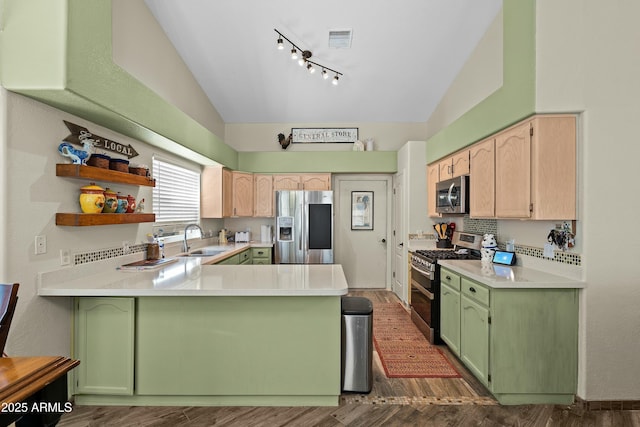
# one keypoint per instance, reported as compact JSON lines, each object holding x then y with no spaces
{"x":514,"y":101}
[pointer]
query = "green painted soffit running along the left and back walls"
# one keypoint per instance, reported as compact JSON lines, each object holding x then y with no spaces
{"x":66,"y":62}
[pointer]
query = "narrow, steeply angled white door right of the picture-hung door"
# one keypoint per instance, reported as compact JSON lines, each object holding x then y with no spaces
{"x":399,"y":263}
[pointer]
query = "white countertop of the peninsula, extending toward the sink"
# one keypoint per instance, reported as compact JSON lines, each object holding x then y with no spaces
{"x":188,"y":276}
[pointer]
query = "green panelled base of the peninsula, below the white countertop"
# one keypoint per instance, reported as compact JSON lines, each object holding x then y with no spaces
{"x":204,"y":351}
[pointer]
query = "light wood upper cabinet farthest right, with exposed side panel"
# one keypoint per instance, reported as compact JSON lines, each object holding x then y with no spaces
{"x":536,"y":169}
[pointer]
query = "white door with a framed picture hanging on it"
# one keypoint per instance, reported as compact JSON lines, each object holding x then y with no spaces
{"x":361,"y":247}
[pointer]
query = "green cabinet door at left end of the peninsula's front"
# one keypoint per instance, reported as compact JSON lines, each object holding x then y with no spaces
{"x":104,"y":343}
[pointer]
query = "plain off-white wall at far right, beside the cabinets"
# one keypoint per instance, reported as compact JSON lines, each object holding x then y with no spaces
{"x":587,"y":61}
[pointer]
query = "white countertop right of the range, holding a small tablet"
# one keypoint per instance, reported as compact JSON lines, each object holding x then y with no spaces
{"x":502,"y":276}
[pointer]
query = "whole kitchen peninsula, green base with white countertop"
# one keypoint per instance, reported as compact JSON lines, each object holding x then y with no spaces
{"x":195,"y":334}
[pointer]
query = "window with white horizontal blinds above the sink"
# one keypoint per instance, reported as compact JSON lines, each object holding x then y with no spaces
{"x":176,"y":196}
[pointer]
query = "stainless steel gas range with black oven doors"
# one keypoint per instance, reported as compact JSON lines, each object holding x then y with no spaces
{"x":425,"y":281}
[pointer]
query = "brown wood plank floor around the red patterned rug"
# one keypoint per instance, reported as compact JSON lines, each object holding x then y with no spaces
{"x":392,"y":402}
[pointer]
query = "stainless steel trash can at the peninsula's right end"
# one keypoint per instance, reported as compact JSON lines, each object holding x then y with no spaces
{"x":357,"y":344}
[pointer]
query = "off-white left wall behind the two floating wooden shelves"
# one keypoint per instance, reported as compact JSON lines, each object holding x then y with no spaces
{"x":31,"y":197}
